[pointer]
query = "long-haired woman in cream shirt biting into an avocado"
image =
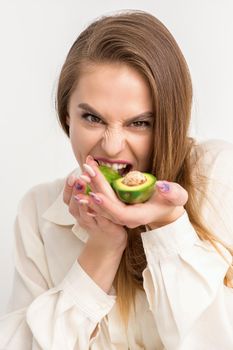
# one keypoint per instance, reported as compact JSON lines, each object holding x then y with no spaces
{"x":95,"y":273}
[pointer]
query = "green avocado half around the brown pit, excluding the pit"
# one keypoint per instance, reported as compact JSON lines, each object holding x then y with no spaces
{"x":135,"y":194}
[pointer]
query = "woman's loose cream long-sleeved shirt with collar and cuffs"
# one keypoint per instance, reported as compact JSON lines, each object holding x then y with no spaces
{"x":55,"y":305}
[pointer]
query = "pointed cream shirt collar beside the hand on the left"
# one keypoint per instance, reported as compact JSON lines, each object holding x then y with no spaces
{"x":58,"y":213}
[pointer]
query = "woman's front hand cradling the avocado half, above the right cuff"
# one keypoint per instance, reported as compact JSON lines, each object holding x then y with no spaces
{"x":165,"y":206}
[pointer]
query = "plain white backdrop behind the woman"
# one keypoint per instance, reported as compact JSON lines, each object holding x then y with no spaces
{"x":35,"y":37}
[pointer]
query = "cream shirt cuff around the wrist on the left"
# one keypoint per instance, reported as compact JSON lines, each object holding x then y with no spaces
{"x":86,"y":294}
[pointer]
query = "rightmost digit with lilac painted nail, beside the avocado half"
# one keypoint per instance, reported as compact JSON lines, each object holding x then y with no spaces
{"x":175,"y":194}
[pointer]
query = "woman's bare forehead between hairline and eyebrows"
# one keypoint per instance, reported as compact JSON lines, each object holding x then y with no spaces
{"x":116,"y":87}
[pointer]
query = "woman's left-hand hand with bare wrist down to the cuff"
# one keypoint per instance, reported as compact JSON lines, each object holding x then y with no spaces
{"x":103,"y":250}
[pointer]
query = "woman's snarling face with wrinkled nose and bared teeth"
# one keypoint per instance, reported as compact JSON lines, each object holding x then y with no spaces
{"x":110,"y":118}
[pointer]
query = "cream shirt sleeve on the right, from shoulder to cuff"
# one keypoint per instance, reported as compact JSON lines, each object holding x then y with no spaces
{"x":184,"y":276}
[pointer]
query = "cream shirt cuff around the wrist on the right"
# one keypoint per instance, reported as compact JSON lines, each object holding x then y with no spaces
{"x":172,"y":238}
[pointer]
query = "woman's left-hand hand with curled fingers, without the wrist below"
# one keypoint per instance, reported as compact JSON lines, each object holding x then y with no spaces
{"x":103,"y":233}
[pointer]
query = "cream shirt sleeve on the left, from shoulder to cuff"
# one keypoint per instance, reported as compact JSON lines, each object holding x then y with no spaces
{"x":43,"y":316}
